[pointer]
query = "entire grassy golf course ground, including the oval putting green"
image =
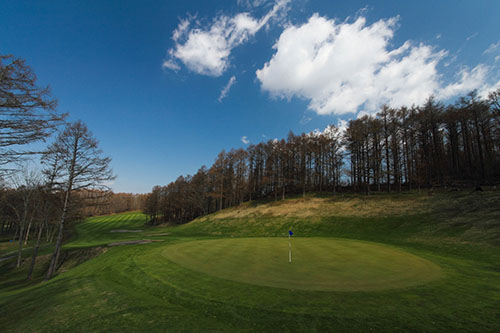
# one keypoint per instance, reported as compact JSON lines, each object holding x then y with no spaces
{"x":168,"y":284}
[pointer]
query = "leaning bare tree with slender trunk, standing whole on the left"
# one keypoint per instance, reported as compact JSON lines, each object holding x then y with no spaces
{"x":83,"y":168}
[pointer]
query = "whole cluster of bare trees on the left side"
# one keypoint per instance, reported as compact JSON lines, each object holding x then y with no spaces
{"x":43,"y":204}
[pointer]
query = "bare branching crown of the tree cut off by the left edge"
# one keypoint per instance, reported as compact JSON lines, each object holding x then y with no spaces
{"x":27,"y":112}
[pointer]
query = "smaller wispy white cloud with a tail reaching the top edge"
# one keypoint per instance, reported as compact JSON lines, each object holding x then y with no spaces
{"x":206,"y":50}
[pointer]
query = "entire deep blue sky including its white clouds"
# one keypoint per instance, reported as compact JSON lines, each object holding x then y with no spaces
{"x":166,"y":85}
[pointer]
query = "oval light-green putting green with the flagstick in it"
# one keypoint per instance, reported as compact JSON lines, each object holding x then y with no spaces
{"x":327,"y":264}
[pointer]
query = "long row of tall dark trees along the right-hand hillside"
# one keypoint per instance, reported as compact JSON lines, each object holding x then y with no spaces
{"x":396,"y":149}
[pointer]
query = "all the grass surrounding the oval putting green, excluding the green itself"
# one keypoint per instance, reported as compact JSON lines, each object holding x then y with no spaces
{"x":134,"y":287}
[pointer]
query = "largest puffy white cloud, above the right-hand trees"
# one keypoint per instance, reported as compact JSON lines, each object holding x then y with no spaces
{"x":350,"y":66}
